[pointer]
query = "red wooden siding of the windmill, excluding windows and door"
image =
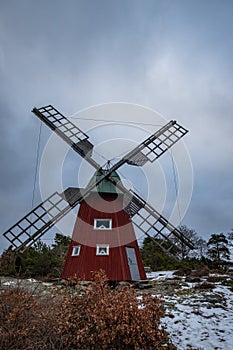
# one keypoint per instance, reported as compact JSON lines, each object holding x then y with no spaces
{"x":121,"y":235}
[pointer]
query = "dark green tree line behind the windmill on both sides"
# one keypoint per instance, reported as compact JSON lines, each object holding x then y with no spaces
{"x":43,"y":260}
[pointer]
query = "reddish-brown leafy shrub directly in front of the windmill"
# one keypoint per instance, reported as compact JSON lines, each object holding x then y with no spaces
{"x":106,"y":318}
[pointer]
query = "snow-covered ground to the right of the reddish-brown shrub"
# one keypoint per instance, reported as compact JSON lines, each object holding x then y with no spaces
{"x":200,"y":320}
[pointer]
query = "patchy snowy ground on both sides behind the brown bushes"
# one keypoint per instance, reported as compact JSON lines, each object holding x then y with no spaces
{"x":198,"y":314}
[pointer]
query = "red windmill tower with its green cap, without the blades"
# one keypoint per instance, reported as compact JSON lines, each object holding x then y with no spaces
{"x":104,"y":238}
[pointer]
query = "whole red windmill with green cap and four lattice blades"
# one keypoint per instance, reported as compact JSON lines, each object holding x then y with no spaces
{"x":103,"y":235}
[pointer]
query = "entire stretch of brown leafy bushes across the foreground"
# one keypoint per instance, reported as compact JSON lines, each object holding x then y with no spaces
{"x":100,"y":318}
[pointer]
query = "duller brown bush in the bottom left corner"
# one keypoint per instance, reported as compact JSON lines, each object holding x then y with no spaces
{"x":26,"y":322}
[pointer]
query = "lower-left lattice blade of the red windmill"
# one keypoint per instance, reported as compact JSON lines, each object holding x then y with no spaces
{"x":38,"y":221}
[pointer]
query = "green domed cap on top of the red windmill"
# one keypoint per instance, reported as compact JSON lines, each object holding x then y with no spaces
{"x":105,"y":186}
